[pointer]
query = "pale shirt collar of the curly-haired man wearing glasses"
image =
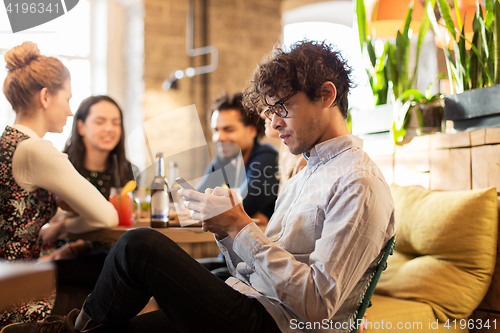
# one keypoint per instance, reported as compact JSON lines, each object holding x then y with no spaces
{"x":329,"y":149}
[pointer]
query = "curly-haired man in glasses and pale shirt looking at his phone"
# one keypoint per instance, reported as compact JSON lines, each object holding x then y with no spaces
{"x":309,"y":270}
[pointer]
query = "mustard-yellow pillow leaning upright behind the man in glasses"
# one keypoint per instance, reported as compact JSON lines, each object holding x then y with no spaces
{"x":445,"y":248}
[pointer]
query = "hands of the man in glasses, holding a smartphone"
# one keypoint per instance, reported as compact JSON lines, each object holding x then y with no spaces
{"x":219,"y":211}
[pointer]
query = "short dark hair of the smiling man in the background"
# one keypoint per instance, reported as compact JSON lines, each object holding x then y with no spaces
{"x":234,"y":102}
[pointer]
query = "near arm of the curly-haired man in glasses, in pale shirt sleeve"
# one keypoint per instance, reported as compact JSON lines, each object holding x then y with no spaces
{"x":354,"y":230}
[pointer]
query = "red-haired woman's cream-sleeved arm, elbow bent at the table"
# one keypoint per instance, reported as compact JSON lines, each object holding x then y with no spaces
{"x":38,"y":164}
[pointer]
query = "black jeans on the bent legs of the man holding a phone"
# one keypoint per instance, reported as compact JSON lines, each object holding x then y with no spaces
{"x":146,"y":263}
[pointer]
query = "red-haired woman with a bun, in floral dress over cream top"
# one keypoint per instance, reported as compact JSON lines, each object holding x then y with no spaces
{"x":34,"y":171}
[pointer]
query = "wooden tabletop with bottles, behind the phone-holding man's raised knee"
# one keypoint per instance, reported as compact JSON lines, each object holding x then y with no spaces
{"x":195,"y":241}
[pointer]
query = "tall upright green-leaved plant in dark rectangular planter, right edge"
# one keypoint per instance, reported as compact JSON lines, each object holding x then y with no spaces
{"x":474,"y":74}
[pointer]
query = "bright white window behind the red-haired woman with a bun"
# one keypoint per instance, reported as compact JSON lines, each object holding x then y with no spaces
{"x":67,"y":38}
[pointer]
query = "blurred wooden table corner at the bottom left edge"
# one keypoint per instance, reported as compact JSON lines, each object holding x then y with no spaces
{"x":21,"y":282}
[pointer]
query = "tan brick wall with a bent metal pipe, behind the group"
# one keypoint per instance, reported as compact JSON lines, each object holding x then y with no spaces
{"x":244,"y":31}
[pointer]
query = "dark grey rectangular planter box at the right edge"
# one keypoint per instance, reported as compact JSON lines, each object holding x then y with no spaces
{"x":474,"y":109}
